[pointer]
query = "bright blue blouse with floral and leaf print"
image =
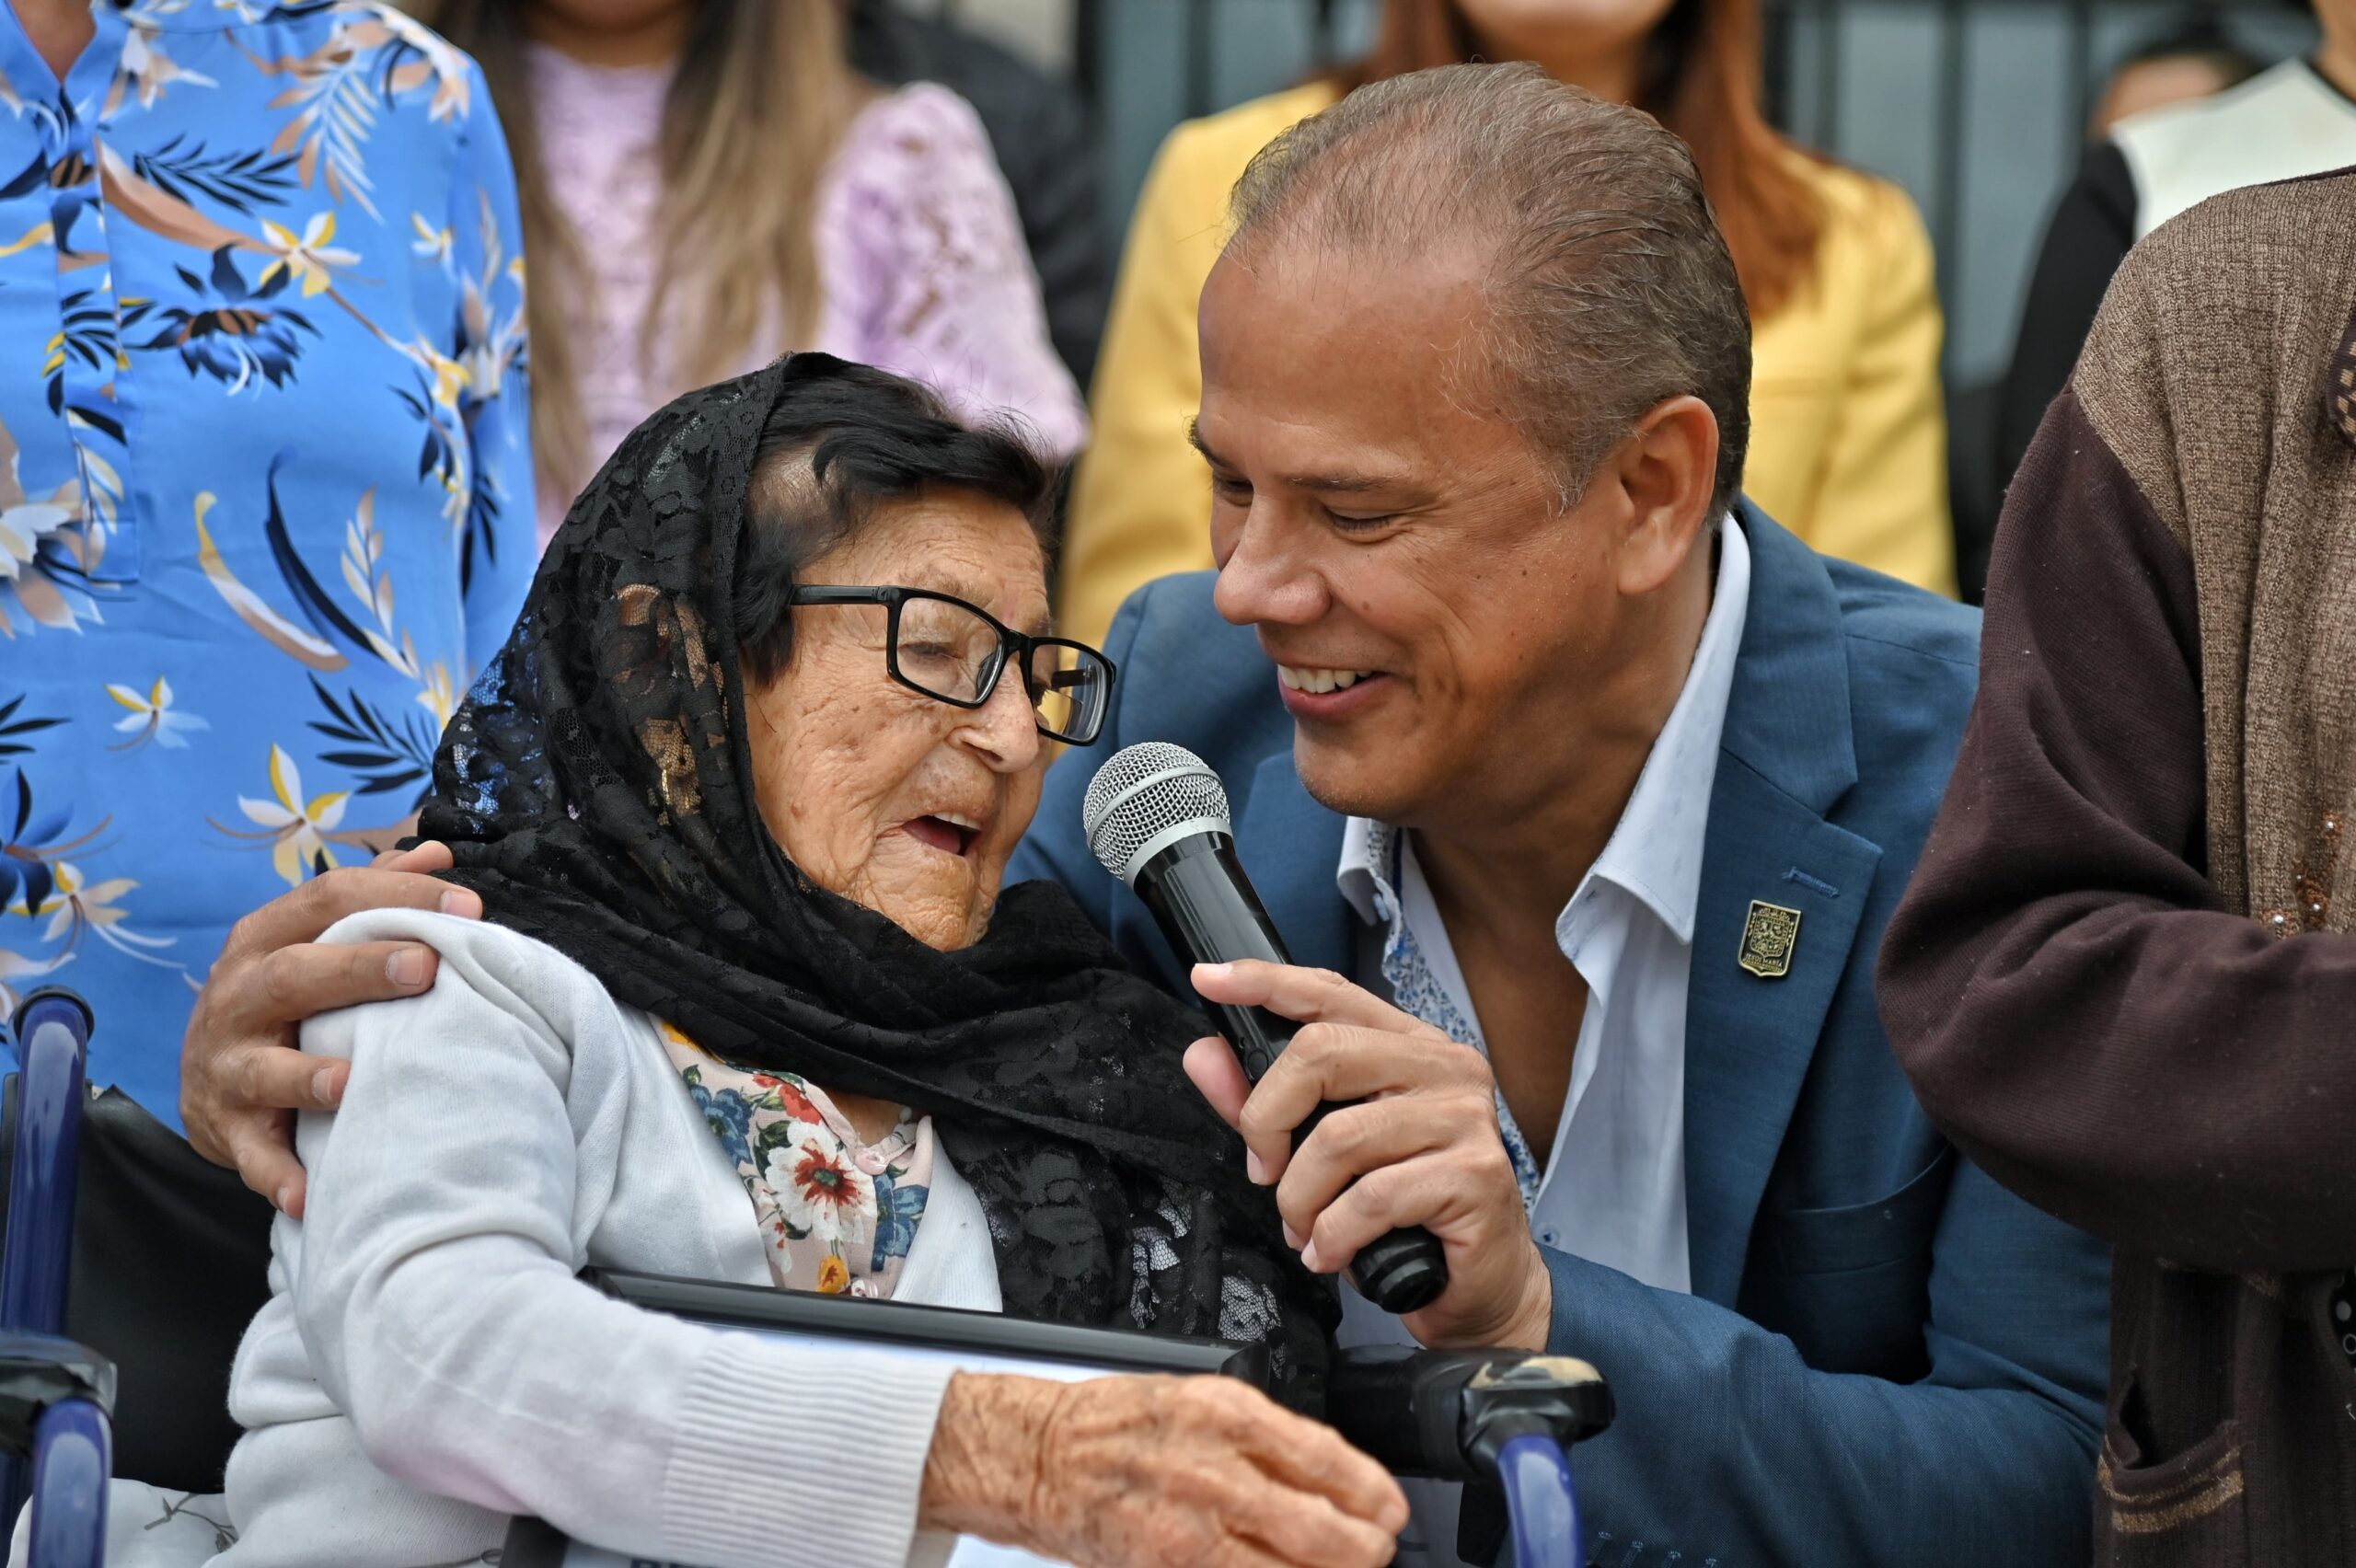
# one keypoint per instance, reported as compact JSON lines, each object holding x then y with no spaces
{"x":265,"y":474}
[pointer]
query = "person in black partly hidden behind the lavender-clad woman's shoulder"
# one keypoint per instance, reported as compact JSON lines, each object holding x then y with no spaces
{"x":1045,"y":140}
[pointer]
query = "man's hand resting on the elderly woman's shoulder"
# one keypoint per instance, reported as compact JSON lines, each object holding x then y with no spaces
{"x":241,"y":1077}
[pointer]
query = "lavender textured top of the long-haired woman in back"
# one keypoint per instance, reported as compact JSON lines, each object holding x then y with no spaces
{"x":918,"y":244}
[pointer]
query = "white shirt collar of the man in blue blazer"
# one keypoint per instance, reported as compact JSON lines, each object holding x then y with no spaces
{"x":1655,"y":853}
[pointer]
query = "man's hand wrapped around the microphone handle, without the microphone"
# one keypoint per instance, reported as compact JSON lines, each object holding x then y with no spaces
{"x":1422,"y":1150}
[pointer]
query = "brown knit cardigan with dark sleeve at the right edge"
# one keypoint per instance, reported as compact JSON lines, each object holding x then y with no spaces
{"x":2126,"y":974}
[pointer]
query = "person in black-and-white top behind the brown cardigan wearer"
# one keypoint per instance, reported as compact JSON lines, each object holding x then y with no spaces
{"x":2298,"y":119}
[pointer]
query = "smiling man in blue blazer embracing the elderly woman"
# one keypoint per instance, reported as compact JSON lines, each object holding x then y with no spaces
{"x":1584,"y":795}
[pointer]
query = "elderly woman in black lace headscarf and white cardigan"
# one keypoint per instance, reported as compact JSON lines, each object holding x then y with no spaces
{"x":748,"y":1006}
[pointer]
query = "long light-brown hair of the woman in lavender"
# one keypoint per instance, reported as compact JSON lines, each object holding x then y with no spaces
{"x":755,"y":112}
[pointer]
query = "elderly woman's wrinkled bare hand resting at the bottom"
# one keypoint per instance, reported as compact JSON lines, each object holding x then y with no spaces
{"x":1156,"y":1473}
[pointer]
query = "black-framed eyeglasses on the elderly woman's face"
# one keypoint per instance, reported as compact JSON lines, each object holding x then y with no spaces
{"x":955,"y":653}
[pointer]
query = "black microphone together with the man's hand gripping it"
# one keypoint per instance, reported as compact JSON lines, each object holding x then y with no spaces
{"x":1377,"y":1131}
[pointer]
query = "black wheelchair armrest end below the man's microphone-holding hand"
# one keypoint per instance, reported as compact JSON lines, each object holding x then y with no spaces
{"x":1450,"y":1414}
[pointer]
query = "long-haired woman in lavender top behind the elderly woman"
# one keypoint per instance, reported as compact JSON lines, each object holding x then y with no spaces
{"x":708,"y":182}
